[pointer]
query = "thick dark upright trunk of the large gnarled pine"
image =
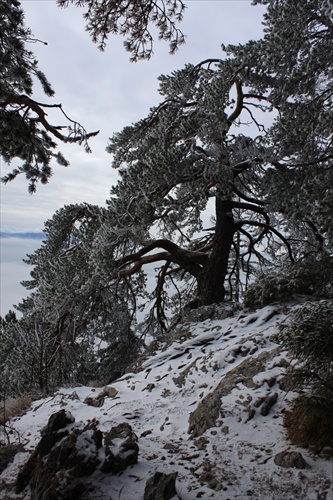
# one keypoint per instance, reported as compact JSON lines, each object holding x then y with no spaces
{"x":211,"y":280}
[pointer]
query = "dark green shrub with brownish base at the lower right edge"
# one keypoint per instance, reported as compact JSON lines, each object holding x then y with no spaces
{"x":308,"y":336}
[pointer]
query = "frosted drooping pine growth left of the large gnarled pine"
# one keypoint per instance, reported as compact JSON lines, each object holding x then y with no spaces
{"x":75,"y":325}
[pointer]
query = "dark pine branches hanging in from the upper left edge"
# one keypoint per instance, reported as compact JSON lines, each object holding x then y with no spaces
{"x":26,"y":135}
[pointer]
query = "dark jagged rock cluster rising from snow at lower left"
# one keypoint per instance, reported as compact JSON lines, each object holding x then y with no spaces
{"x":66,"y":455}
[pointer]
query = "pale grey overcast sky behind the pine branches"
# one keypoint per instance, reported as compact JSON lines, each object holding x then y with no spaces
{"x":105,"y":92}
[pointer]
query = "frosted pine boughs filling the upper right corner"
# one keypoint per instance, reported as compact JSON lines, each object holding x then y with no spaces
{"x":292,"y":67}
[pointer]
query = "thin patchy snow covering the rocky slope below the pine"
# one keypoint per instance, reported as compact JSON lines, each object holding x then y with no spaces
{"x":234,"y":458}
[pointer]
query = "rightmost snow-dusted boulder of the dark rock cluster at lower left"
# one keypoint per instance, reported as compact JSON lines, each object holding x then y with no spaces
{"x":121,"y":449}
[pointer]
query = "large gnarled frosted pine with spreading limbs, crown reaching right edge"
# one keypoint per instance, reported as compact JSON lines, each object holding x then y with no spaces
{"x":270,"y":189}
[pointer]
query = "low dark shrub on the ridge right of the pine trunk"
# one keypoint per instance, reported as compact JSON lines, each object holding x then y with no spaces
{"x":306,"y":278}
